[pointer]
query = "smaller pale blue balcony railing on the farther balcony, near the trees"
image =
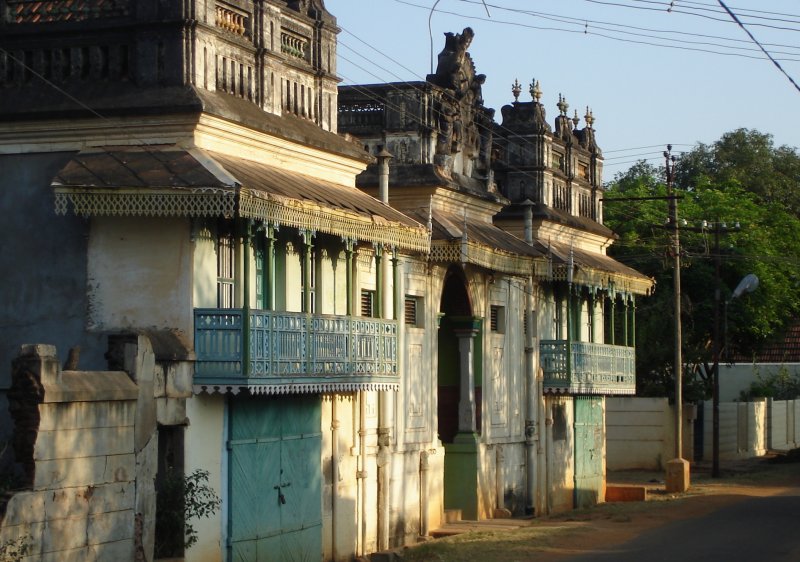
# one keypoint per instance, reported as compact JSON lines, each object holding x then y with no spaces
{"x":593,"y":368}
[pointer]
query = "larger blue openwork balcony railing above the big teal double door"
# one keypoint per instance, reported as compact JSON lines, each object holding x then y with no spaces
{"x":286,"y":352}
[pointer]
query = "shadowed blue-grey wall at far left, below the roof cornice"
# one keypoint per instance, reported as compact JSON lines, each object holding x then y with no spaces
{"x":44,"y":265}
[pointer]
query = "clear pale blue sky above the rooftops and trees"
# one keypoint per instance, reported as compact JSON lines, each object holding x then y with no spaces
{"x":650,"y":76}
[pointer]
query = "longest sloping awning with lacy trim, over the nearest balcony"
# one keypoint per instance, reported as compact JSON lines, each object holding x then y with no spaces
{"x":174,"y":182}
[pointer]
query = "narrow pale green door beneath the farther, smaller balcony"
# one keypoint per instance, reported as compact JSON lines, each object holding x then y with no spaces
{"x":588,"y":450}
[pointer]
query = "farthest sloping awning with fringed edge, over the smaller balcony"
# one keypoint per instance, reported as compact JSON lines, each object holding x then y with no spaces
{"x":593,"y":270}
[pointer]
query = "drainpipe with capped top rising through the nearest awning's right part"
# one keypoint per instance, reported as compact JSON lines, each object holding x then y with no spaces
{"x":384,"y":299}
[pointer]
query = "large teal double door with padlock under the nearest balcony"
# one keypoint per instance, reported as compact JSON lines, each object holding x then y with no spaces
{"x":275,"y":479}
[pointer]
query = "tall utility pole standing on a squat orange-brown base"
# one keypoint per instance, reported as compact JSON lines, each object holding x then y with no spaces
{"x":677,"y":469}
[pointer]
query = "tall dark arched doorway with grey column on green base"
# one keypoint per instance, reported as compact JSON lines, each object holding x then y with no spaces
{"x":459,"y":393}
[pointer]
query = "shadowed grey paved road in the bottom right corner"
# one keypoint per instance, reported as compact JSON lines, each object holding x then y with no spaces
{"x":752,"y":530}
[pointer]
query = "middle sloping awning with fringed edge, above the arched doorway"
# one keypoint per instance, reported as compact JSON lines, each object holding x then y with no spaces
{"x":478,"y":243}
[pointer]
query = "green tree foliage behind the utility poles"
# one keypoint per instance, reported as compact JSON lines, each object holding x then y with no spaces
{"x":741,"y":179}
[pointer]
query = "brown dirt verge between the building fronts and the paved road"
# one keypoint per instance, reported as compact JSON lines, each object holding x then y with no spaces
{"x":577,"y":532}
